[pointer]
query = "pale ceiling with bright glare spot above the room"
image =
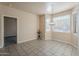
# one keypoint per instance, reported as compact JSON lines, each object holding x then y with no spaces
{"x":41,"y":7}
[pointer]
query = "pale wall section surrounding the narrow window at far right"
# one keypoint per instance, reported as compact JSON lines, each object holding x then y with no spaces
{"x":75,"y":36}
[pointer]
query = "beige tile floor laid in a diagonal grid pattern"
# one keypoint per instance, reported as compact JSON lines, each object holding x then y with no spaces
{"x":39,"y":48}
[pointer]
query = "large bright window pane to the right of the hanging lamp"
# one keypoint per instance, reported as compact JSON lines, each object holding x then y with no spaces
{"x":62,"y":23}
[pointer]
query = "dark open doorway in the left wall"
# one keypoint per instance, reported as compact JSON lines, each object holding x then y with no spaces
{"x":10,"y":31}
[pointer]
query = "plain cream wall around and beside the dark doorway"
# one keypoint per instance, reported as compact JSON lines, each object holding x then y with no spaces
{"x":26,"y":23}
